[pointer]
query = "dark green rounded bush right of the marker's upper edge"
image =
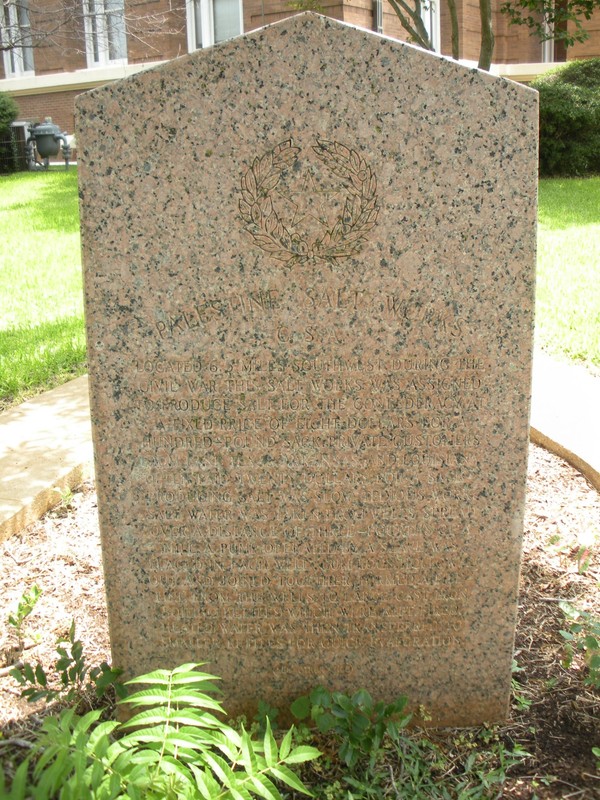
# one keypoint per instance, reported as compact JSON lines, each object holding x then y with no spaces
{"x":570,"y":119}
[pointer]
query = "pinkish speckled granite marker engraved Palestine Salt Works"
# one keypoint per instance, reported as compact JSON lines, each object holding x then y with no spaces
{"x":309,"y":268}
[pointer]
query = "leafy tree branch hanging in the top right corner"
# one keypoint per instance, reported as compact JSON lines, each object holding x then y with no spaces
{"x":547,"y":19}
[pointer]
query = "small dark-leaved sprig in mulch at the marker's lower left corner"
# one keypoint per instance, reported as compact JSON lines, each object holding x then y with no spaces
{"x":75,"y":677}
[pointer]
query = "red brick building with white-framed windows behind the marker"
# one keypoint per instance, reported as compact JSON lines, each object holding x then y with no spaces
{"x":89,"y":42}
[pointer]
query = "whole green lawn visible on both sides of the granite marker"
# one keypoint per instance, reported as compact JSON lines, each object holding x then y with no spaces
{"x":42,"y":339}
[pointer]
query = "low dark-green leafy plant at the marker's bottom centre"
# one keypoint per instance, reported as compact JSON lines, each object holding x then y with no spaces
{"x":358,"y":723}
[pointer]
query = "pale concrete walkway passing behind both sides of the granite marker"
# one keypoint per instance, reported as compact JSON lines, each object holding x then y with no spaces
{"x":46,"y":444}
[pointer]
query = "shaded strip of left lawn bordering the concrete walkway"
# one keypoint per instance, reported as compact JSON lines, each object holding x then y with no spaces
{"x":44,"y":355}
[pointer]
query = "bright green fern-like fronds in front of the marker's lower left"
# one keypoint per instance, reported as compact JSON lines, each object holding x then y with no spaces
{"x":173,"y":748}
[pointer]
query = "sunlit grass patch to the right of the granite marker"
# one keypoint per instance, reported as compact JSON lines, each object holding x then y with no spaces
{"x":568,"y":281}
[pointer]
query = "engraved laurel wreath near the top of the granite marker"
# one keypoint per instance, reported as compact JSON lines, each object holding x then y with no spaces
{"x":349,"y":231}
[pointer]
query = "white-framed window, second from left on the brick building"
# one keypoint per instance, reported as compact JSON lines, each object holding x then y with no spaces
{"x":106,"y":42}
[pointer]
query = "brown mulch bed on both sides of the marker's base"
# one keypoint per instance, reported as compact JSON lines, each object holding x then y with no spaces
{"x":556,"y":718}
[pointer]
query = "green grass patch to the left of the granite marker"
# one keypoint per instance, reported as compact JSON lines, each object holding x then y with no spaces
{"x":42,"y":340}
